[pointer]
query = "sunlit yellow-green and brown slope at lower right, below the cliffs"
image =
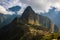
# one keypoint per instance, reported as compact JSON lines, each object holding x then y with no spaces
{"x":37,"y":34}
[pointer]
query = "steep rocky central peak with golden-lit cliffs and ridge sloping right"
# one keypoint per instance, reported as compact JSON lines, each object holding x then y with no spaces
{"x":30,"y":17}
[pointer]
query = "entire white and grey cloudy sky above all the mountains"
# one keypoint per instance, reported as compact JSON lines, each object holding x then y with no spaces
{"x":37,"y":5}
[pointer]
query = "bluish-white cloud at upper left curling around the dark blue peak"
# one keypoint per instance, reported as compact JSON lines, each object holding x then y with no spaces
{"x":10,"y":3}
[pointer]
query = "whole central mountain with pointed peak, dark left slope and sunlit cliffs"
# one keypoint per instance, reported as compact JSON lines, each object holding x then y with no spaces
{"x":29,"y":24}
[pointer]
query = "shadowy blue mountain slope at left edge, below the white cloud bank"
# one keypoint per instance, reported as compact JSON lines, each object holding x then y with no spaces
{"x":6,"y":19}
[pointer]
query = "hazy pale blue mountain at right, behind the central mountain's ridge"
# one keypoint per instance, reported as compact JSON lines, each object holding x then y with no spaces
{"x":53,"y":15}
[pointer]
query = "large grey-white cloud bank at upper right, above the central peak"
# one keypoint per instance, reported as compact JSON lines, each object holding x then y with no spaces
{"x":42,"y":5}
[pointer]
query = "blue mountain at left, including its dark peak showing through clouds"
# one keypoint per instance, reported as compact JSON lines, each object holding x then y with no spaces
{"x":6,"y":18}
